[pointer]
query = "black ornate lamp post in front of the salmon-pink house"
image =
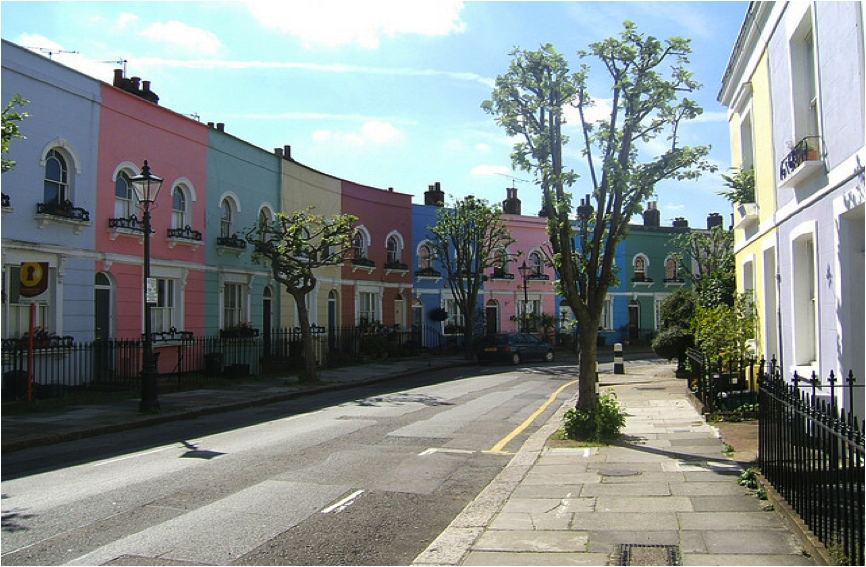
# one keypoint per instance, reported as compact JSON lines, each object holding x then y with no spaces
{"x":147,"y":186}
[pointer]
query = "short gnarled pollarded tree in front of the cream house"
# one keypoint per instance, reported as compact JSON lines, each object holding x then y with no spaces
{"x":295,"y":245}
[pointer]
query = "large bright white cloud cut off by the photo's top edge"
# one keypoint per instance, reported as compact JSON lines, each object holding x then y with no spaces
{"x":336,"y":22}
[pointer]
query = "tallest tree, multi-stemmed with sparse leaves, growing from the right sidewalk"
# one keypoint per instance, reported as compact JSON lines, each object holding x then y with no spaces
{"x":530,"y":101}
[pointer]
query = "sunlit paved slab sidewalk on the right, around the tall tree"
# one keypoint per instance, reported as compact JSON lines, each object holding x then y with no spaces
{"x":665,"y":495}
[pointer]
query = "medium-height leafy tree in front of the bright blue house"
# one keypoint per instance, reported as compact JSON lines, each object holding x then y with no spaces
{"x":465,"y":240}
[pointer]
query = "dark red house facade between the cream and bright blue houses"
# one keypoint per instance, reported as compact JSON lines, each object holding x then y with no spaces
{"x":380,"y":288}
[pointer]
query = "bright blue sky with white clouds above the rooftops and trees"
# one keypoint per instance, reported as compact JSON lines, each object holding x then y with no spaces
{"x":385,"y":93}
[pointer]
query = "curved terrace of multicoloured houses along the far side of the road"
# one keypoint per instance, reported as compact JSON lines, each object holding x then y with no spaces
{"x":69,"y":203}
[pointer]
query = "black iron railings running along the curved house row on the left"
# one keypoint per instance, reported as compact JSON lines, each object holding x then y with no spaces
{"x":64,"y":367}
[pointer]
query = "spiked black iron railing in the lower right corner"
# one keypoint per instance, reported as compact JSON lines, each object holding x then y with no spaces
{"x":813,"y":452}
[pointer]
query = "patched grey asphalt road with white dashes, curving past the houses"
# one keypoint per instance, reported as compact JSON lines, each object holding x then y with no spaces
{"x":364,"y":476}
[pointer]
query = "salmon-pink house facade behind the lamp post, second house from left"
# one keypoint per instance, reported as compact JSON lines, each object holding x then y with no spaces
{"x":133,"y":130}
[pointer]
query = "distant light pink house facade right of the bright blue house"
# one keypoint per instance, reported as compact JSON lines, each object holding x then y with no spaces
{"x":504,"y":293}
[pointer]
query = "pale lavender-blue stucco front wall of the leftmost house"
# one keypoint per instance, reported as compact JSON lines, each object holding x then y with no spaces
{"x":64,"y":114}
